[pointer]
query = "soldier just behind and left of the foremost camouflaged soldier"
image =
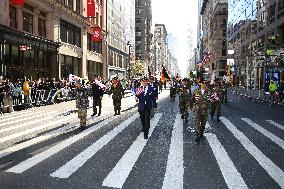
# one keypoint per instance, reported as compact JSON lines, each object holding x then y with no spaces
{"x":184,"y":97}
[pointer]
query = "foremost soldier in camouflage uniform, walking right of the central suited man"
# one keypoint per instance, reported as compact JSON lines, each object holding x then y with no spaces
{"x":199,"y":104}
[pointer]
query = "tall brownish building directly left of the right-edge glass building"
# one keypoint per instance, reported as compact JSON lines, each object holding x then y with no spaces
{"x":214,"y":33}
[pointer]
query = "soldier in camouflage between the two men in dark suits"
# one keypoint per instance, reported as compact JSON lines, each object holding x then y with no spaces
{"x":117,"y":93}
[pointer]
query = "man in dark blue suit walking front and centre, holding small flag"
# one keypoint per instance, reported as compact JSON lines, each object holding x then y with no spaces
{"x":145,"y":105}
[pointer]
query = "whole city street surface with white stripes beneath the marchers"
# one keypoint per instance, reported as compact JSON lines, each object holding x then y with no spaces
{"x":44,"y":148}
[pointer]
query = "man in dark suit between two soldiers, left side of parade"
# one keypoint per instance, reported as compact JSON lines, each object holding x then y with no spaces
{"x":97,"y":93}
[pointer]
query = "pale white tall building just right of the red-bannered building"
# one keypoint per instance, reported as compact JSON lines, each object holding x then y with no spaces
{"x":120,"y":29}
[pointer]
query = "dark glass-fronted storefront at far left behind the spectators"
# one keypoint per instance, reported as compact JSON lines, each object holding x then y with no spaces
{"x":26,"y":55}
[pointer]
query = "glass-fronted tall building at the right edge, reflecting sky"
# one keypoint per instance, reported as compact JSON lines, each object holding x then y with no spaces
{"x":251,"y":27}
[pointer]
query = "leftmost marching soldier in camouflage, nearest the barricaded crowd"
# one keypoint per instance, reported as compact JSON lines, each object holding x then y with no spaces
{"x":82,"y":103}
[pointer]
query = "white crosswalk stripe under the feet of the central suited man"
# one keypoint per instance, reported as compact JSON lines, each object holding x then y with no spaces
{"x":120,"y":172}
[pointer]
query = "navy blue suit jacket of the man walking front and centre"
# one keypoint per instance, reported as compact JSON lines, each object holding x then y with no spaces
{"x":146,"y":100}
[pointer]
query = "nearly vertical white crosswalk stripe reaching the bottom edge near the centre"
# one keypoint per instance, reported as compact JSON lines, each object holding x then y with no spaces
{"x":175,"y":169}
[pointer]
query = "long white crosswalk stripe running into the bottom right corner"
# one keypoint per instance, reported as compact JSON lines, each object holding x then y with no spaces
{"x":273,"y":170}
